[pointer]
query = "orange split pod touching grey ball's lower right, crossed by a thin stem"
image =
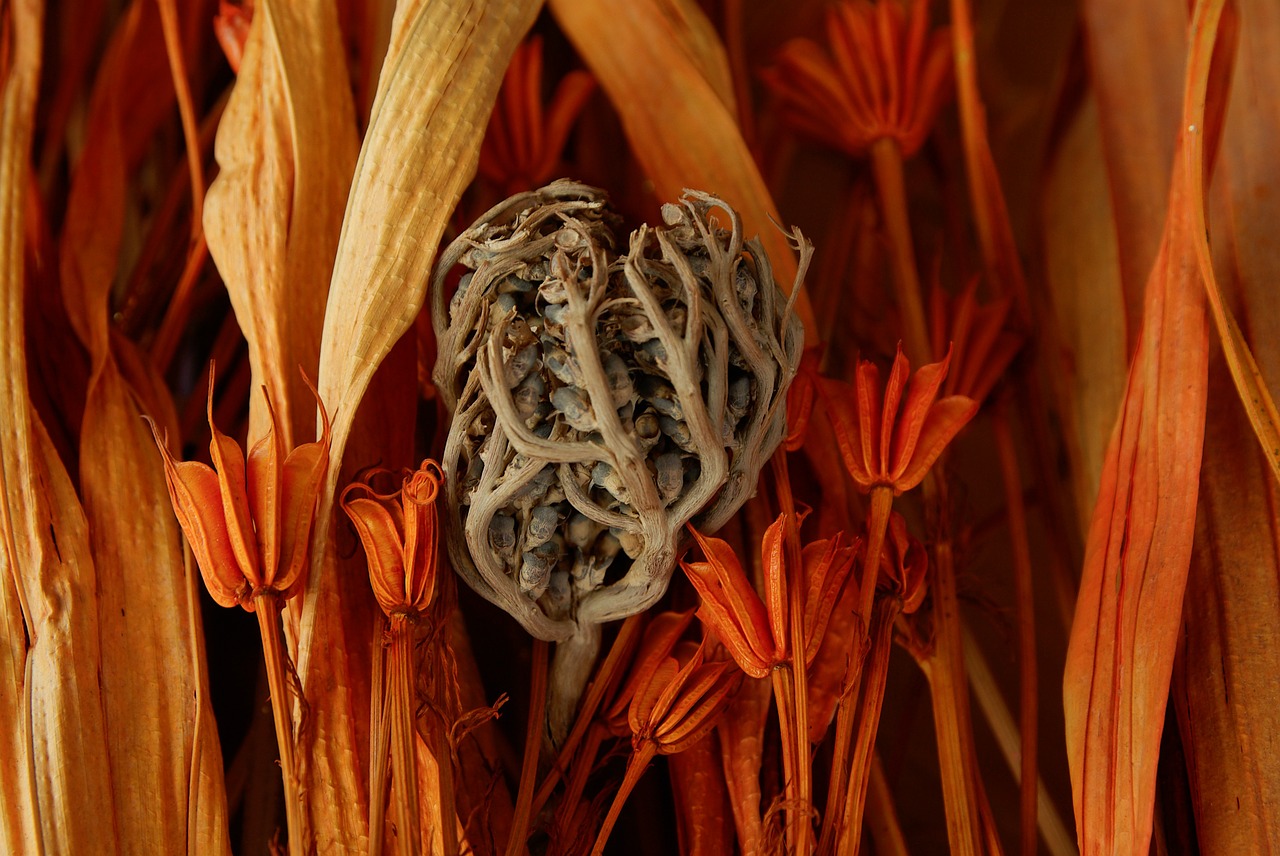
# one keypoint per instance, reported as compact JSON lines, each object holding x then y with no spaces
{"x":756,"y":631}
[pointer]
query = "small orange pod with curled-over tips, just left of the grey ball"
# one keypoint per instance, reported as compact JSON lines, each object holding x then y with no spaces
{"x":400,"y":535}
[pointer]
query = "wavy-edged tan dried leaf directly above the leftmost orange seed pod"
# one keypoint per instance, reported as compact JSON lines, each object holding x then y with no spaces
{"x":287,"y":150}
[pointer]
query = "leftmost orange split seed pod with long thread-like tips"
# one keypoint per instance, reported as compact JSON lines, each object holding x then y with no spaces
{"x":249,"y":523}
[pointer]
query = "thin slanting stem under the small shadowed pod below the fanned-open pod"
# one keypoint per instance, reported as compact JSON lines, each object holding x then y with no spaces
{"x":868,"y":722}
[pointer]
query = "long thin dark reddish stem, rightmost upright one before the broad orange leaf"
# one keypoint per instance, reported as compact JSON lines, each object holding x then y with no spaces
{"x":1022,"y":555}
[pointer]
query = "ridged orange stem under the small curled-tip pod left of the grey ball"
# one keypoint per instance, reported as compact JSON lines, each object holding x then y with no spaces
{"x":403,"y":675}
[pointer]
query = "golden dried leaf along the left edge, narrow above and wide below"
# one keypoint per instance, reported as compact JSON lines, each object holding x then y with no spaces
{"x":53,"y":733}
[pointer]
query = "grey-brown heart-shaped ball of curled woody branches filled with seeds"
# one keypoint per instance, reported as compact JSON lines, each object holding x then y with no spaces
{"x":602,"y":399}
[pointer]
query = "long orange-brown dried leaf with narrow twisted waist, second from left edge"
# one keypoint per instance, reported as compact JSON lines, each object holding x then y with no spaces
{"x":162,"y":736}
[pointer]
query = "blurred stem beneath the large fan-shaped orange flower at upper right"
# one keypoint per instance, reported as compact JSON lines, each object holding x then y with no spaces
{"x":888,"y":168}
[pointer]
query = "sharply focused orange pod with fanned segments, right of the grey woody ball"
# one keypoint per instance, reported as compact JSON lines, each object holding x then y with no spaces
{"x":888,"y":442}
